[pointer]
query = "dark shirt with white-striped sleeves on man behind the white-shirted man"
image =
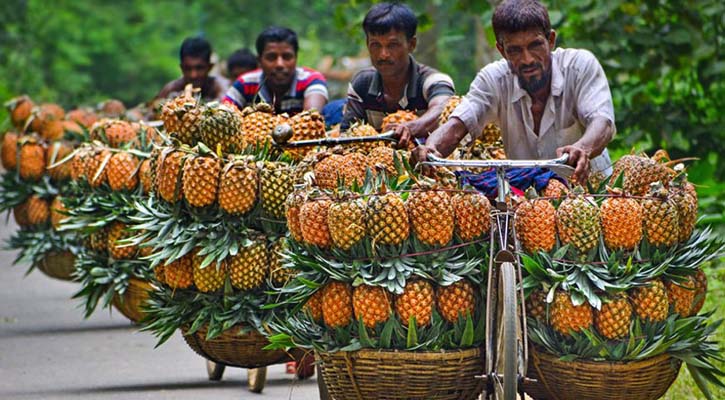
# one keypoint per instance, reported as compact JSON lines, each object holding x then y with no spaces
{"x":365,"y":100}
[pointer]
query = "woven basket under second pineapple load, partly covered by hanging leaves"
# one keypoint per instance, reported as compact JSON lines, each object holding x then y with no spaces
{"x":233,"y":349}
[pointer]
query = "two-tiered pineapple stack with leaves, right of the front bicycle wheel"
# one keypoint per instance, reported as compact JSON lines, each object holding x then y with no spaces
{"x":613,"y":270}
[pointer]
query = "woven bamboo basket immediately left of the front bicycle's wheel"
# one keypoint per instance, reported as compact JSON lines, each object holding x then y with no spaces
{"x":390,"y":375}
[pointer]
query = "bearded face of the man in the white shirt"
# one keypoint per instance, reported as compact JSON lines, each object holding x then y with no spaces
{"x":529,"y":56}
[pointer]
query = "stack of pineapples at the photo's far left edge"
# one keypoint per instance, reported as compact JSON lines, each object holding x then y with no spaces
{"x":33,"y":185}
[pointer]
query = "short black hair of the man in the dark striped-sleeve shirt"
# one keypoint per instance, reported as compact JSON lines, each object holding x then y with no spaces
{"x":384,"y":17}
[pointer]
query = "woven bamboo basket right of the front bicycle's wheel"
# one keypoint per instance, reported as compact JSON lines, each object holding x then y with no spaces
{"x":589,"y":380}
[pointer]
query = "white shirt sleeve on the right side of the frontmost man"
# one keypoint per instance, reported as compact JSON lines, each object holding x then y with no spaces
{"x":594,"y":99}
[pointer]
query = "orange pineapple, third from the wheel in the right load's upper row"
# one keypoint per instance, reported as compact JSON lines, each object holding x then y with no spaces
{"x":621,"y":219}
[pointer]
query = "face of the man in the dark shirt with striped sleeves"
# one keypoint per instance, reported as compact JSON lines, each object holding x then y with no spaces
{"x":389,"y":52}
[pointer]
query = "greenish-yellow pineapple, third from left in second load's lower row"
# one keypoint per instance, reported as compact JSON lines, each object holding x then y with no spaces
{"x":248,"y":268}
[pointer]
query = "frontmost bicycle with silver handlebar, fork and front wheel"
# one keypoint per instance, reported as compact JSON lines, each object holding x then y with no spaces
{"x":504,"y":248}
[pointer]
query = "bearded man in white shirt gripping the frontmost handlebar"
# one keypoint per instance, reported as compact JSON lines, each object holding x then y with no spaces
{"x":547,"y":102}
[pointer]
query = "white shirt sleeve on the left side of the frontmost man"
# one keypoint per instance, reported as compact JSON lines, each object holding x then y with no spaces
{"x":479,"y":103}
